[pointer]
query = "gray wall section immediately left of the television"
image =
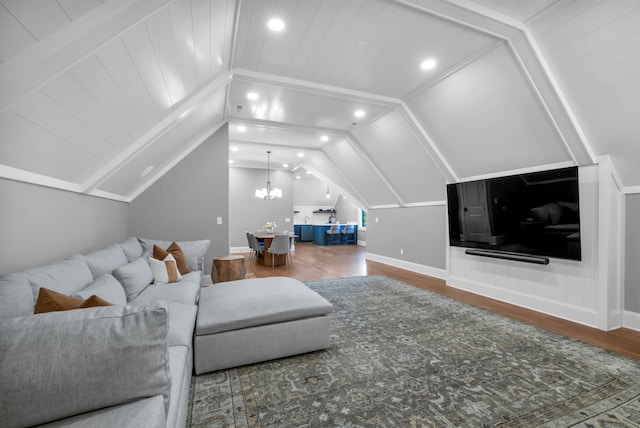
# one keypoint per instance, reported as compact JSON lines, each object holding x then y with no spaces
{"x":419,"y":231}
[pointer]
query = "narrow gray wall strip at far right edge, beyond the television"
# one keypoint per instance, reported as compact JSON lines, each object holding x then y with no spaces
{"x":632,"y":254}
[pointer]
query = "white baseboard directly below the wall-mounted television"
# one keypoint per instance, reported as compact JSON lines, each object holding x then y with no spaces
{"x":538,"y":304}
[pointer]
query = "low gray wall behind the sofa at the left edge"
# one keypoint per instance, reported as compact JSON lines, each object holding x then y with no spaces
{"x":39,"y":225}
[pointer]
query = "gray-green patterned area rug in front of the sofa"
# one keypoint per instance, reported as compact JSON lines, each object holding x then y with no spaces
{"x":404,"y":357}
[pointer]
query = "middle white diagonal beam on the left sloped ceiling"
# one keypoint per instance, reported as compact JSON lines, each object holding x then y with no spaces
{"x":178,"y":114}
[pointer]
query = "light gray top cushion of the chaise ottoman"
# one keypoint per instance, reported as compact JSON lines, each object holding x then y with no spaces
{"x":246,"y":303}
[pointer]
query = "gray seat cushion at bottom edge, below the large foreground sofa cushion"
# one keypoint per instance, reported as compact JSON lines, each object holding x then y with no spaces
{"x":147,"y":412}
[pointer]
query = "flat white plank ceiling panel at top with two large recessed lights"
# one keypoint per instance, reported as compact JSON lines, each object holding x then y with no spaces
{"x":369,"y":45}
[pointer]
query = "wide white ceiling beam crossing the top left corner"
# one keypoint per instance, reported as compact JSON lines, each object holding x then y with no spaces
{"x":33,"y":68}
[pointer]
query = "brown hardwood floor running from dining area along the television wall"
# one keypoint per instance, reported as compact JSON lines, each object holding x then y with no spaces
{"x":312,"y":262}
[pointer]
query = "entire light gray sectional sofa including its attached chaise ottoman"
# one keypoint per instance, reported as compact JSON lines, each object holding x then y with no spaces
{"x":130,"y":364}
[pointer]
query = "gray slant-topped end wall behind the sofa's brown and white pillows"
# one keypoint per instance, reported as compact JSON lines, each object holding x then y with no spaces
{"x":185,"y":203}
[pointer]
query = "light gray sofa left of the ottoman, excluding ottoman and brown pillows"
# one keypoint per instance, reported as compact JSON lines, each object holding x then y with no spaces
{"x":112,"y":366}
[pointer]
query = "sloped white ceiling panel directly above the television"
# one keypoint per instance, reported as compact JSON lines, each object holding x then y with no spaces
{"x":486,"y":118}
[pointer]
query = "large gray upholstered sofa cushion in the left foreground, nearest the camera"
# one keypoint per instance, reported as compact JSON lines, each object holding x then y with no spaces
{"x":61,"y":364}
